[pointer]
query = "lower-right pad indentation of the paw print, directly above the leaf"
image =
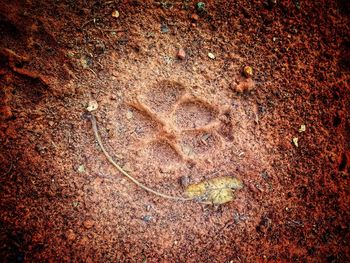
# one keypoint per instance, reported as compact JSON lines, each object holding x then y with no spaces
{"x":197,"y":143}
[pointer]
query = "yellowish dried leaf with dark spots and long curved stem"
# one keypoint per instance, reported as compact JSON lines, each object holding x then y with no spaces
{"x":215,"y":191}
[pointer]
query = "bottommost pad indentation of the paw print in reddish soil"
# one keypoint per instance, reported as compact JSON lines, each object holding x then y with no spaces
{"x":162,"y":153}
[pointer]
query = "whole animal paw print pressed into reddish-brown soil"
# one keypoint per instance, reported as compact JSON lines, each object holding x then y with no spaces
{"x":172,"y":125}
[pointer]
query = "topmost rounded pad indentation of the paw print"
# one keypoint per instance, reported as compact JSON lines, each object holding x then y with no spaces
{"x":161,"y":97}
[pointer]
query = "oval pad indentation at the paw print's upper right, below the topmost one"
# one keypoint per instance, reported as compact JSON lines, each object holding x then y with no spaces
{"x":193,"y":114}
